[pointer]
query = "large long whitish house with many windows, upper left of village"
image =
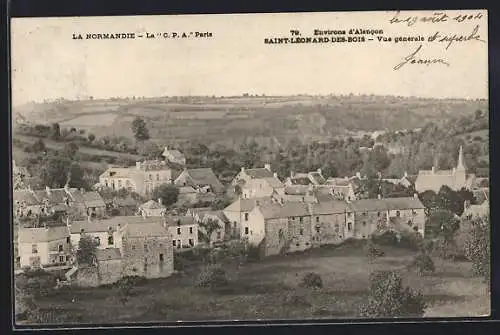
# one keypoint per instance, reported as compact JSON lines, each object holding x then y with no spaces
{"x":142,"y":179}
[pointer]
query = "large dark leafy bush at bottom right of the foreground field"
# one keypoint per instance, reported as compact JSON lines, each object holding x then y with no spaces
{"x":388,"y":298}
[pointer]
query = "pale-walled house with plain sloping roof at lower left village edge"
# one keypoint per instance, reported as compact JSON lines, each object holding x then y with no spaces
{"x":44,"y":246}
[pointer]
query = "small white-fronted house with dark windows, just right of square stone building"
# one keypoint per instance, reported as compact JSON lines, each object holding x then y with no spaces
{"x":184,"y":232}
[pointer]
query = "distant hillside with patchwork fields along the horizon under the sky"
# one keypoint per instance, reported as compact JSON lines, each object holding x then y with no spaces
{"x":237,"y":118}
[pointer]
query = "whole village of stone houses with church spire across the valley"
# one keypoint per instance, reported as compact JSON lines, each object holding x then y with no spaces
{"x":302,"y":212}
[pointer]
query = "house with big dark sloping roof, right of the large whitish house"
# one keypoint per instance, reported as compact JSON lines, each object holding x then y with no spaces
{"x":202,"y":180}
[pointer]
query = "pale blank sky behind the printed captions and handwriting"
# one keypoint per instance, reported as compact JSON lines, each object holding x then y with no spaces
{"x":46,"y":63}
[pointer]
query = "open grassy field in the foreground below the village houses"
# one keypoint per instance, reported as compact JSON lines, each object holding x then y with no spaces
{"x":269,"y":290}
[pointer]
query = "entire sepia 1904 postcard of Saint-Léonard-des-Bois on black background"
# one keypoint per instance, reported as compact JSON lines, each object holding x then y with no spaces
{"x":222,"y":167}
